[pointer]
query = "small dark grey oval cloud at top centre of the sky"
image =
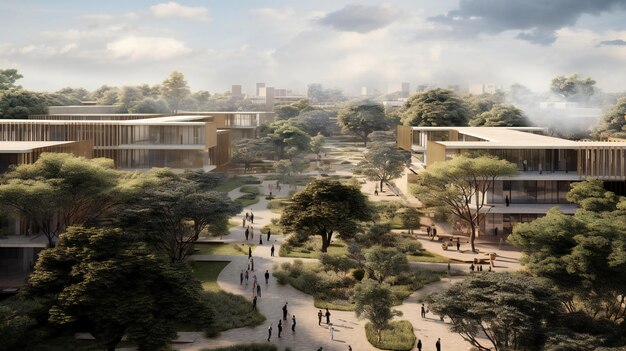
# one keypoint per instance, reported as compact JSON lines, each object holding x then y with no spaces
{"x":361,"y":19}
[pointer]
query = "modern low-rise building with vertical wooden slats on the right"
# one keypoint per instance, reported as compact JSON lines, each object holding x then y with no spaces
{"x":547,"y":166}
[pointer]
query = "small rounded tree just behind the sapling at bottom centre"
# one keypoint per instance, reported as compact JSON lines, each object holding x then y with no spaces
{"x":384,"y":262}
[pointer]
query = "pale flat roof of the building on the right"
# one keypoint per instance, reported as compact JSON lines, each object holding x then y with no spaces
{"x":513,"y":138}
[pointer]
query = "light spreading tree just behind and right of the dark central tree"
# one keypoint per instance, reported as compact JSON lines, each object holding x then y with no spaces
{"x":382,"y":162}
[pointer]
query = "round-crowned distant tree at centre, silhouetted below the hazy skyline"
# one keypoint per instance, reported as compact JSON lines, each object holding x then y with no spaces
{"x":362,"y":118}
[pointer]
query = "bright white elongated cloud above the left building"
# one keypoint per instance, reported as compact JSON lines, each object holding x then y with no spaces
{"x":137,"y":48}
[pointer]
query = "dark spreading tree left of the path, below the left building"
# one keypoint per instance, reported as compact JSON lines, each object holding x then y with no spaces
{"x":171,"y":212}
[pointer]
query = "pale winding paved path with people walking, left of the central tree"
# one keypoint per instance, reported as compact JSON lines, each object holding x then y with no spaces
{"x":308,"y":336}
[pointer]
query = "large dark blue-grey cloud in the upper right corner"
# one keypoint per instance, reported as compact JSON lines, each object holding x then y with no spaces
{"x":537,"y":21}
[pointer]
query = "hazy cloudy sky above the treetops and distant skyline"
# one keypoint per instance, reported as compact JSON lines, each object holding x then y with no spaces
{"x":289,"y":44}
